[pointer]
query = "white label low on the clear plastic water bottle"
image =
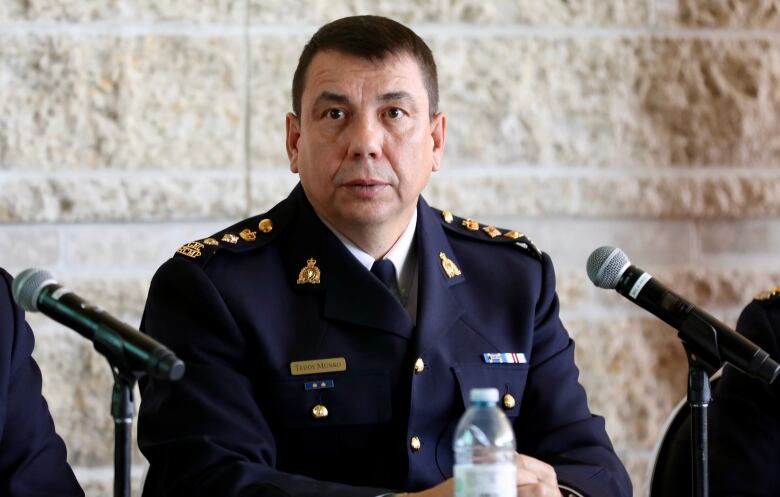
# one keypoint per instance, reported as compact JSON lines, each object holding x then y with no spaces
{"x":485,"y":480}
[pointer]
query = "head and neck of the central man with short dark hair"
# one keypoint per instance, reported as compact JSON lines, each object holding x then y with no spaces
{"x":364,"y":138}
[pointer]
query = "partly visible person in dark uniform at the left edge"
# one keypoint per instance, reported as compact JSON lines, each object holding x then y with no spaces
{"x":32,"y":457}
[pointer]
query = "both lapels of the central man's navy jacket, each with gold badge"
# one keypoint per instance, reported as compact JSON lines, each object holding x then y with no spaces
{"x":354,"y":295}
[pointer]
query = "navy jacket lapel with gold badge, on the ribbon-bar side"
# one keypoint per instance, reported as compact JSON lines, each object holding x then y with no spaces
{"x":438,"y":307}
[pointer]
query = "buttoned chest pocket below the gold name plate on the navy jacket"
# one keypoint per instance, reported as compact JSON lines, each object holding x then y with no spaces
{"x":356,"y":398}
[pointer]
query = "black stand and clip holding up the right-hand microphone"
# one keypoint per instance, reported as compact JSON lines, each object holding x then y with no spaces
{"x":695,"y":331}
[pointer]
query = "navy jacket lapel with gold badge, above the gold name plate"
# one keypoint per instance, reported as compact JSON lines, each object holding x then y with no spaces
{"x":350,"y":292}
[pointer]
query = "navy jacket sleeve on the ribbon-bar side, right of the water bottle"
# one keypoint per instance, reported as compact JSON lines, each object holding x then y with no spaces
{"x":557,"y":425}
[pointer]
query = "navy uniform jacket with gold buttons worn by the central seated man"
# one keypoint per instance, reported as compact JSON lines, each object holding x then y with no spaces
{"x":239,"y":423}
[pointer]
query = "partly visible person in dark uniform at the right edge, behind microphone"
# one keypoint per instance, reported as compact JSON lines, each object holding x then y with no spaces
{"x":745,"y":413}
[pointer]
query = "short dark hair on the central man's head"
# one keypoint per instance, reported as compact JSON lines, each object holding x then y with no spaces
{"x":369,"y":37}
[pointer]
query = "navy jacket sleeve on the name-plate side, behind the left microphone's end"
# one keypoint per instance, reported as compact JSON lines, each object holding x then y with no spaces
{"x":205,"y":435}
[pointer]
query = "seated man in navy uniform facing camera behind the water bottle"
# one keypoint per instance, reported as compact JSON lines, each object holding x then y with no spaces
{"x":331,"y":342}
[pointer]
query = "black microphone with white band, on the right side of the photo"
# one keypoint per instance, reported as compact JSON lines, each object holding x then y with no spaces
{"x":711,"y":341}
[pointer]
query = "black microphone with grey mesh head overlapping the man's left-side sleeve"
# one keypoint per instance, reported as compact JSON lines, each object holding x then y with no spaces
{"x":124,"y":347}
